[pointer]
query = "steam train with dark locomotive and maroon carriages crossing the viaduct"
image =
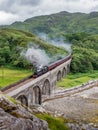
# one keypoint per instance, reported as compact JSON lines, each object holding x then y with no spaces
{"x":38,"y":71}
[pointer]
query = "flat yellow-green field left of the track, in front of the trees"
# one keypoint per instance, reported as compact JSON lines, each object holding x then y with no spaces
{"x":11,"y":75}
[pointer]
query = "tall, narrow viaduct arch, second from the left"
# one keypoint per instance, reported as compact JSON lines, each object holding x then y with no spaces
{"x":36,"y":95}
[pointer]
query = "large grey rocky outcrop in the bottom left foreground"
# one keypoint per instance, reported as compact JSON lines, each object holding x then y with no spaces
{"x":14,"y":116}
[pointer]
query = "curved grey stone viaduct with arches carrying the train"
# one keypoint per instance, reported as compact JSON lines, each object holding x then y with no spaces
{"x":35,"y":91}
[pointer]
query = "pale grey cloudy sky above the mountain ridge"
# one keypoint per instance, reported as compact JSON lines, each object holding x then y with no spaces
{"x":19,"y":10}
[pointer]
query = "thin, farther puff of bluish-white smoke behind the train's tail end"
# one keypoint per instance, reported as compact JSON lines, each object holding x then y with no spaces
{"x":58,"y":42}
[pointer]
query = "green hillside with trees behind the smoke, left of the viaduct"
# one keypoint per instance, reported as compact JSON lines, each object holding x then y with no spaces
{"x":13,"y":42}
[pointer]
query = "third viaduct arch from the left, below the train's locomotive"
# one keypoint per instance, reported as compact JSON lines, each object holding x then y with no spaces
{"x":46,"y":87}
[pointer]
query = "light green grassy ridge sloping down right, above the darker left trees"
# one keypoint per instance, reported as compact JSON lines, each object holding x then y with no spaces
{"x":23,"y":38}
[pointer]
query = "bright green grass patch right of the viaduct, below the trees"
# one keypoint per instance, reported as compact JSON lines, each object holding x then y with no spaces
{"x":73,"y":80}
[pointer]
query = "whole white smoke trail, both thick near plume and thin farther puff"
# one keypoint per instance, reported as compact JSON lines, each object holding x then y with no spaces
{"x":37,"y":56}
